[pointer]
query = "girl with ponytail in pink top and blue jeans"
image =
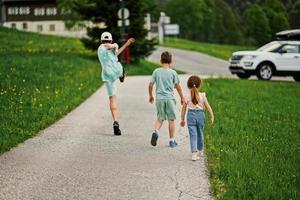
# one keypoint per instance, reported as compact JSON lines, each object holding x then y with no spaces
{"x":196,"y":104}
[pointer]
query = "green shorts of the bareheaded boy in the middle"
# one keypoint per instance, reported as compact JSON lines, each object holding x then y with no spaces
{"x":166,"y":109}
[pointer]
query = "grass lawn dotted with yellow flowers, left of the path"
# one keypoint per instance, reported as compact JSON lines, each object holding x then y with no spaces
{"x":42,"y":79}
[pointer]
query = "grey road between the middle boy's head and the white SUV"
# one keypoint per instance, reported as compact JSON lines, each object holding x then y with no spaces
{"x":193,"y":62}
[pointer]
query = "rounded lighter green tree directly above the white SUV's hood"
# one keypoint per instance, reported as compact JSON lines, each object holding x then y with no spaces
{"x":257,"y":25}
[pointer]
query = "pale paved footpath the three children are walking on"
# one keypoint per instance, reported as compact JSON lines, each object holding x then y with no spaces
{"x":79,"y":158}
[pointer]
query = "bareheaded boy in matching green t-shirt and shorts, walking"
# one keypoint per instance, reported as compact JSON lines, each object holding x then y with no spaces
{"x":165,"y":79}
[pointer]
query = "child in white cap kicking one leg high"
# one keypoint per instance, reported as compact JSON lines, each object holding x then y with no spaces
{"x":111,"y":71}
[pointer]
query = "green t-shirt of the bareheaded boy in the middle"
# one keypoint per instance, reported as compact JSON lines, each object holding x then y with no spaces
{"x":165,"y":80}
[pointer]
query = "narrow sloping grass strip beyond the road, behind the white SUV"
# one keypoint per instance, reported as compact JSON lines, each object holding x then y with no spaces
{"x":217,"y":50}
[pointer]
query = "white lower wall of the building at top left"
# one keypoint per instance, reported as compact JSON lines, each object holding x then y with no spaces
{"x":60,"y":28}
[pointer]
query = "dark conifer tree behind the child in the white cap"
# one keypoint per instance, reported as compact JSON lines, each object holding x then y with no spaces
{"x":105,"y":11}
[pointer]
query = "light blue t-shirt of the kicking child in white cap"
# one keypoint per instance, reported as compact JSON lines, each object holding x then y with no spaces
{"x":111,"y":67}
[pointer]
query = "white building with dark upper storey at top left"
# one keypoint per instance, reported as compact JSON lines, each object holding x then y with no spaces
{"x":37,"y":16}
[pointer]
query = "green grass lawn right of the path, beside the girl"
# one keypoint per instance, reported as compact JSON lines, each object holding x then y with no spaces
{"x":254,"y":148}
